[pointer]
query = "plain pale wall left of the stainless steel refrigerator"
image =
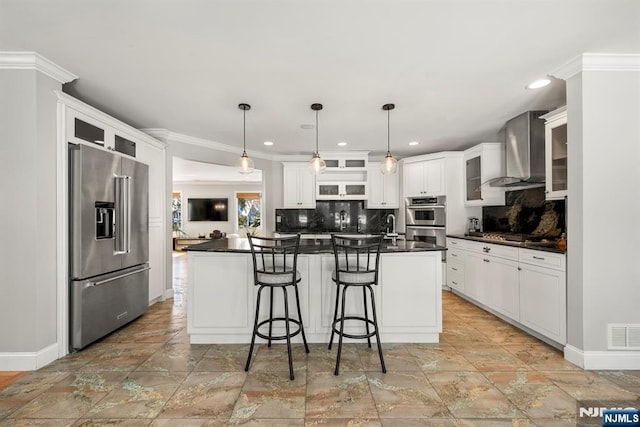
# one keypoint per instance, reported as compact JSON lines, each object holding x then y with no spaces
{"x":28,"y":223}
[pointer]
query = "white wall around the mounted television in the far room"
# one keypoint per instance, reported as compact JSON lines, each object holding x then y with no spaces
{"x":201,"y":190}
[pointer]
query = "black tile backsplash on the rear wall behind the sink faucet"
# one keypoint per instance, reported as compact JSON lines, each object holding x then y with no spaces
{"x":325,"y":218}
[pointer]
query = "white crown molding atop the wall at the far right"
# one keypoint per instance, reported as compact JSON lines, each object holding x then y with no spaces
{"x":597,"y":62}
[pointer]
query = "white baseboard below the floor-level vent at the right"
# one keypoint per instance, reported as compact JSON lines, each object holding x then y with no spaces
{"x":606,"y":360}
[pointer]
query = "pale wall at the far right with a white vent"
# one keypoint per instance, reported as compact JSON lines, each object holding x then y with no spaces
{"x":604,"y":200}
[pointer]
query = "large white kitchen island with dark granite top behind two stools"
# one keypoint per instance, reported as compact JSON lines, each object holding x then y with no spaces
{"x":221,"y":294}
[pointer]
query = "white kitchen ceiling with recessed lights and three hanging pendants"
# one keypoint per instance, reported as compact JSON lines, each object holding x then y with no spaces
{"x":456,"y":69}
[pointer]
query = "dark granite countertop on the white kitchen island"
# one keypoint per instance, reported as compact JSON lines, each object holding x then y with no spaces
{"x":309,"y":246}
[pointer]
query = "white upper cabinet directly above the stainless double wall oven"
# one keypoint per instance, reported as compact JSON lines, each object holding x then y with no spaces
{"x":424,"y":177}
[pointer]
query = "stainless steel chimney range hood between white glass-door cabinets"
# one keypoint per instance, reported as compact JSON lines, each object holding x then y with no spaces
{"x":524,"y":152}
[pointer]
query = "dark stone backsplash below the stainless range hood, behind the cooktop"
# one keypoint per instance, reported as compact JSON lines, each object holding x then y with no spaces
{"x":526,"y":211}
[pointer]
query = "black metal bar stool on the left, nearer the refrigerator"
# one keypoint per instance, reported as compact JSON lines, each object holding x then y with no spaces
{"x":275,"y":266}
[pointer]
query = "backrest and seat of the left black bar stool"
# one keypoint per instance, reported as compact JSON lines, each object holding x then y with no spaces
{"x":275,"y":257}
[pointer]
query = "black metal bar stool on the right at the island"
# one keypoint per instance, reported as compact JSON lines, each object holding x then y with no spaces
{"x":356,"y":265}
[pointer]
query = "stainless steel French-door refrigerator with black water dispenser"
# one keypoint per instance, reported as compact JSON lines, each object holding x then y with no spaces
{"x":108,"y":242}
